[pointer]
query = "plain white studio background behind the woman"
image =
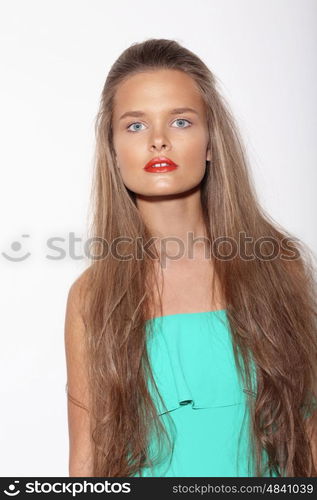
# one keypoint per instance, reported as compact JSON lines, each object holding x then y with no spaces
{"x":55,"y":56}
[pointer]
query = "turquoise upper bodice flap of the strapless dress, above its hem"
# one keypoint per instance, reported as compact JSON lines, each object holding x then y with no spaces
{"x":192,"y":360}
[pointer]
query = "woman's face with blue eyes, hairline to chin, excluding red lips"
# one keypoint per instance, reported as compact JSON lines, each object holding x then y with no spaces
{"x":158,"y":131}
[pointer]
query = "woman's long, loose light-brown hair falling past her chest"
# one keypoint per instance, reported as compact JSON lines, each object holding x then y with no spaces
{"x":270,"y":302}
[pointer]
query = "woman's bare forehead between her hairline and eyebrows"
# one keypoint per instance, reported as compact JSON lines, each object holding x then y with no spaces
{"x":153,"y":90}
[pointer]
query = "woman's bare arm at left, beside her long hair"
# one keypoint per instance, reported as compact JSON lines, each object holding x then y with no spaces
{"x":80,"y":444}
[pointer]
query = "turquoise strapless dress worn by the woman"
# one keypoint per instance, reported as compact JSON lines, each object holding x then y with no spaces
{"x":192,"y":360}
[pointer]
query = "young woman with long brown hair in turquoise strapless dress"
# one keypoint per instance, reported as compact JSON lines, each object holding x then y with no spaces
{"x":191,"y":339}
